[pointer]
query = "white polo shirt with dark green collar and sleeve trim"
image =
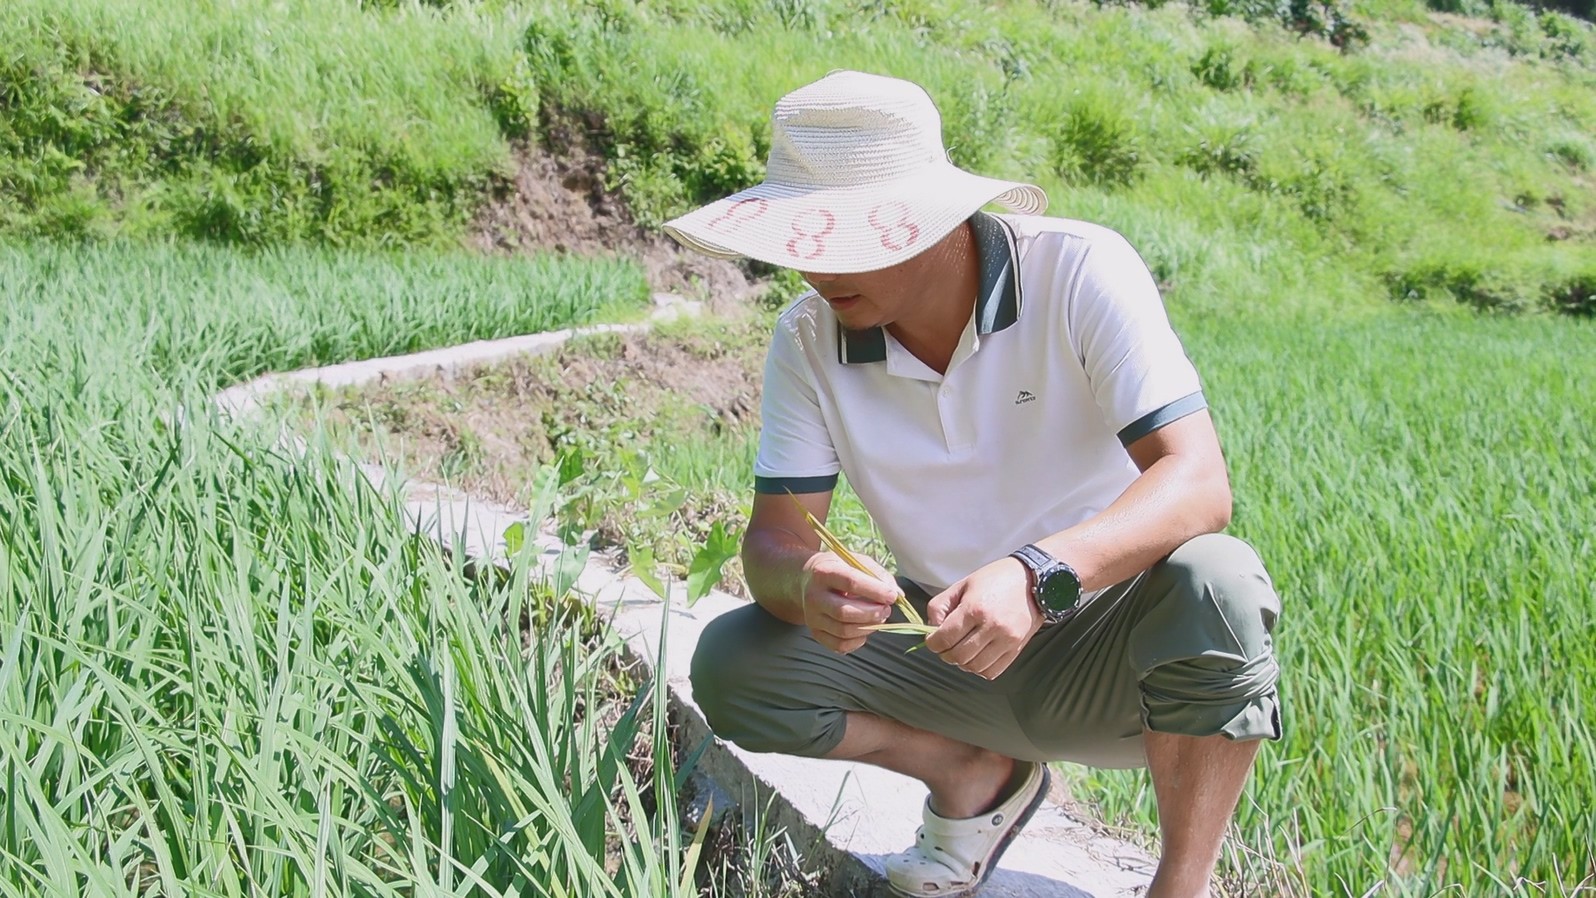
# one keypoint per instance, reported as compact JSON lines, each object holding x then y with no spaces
{"x":1067,"y":360}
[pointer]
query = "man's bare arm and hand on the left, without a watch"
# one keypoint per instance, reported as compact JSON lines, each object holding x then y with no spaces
{"x":794,"y":580}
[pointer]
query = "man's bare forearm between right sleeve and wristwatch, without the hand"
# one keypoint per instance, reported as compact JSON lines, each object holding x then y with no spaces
{"x":1174,"y":502}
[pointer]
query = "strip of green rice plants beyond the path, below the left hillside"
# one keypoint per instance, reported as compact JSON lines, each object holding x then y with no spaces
{"x":215,"y":317}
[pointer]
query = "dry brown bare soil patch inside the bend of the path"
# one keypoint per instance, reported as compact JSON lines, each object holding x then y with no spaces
{"x":489,"y":430}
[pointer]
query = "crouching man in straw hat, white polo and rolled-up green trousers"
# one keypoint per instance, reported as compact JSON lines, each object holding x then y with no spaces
{"x":1008,"y":398}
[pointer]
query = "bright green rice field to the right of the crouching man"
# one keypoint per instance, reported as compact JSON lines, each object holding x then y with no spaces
{"x":1421,"y":487}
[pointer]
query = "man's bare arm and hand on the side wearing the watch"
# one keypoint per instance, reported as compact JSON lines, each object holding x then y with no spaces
{"x":1183,"y":492}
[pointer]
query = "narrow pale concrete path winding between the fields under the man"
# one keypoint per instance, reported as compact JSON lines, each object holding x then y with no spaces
{"x":842,"y":817}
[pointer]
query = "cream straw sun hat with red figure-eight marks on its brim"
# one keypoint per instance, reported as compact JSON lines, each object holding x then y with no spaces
{"x":858,"y":181}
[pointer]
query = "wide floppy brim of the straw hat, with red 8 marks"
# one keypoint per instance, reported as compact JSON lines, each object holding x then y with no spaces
{"x":847,"y":230}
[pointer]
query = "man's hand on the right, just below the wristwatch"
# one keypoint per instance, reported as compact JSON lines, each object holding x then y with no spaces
{"x":986,"y":620}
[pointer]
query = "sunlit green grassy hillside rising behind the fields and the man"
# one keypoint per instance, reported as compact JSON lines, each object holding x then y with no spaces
{"x":1252,"y":165}
